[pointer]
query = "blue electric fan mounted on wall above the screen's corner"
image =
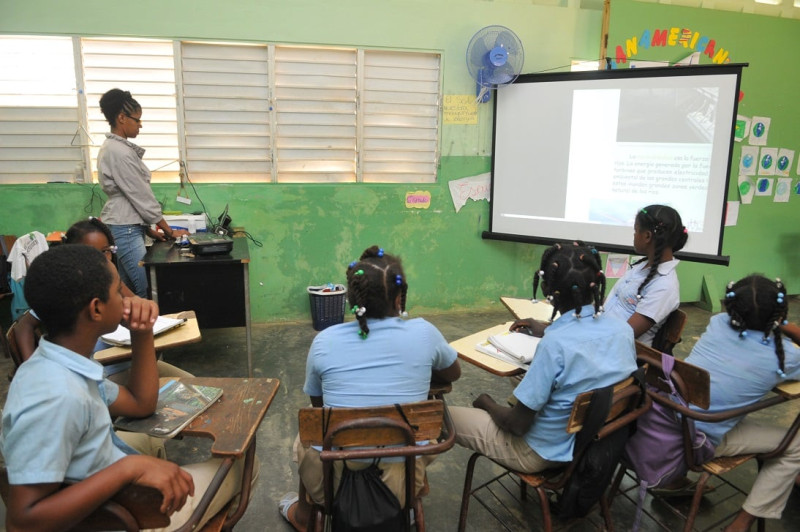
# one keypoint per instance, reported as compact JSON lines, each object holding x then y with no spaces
{"x":494,"y":57}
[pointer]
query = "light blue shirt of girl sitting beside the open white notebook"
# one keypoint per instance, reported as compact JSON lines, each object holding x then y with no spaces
{"x":575,"y":355}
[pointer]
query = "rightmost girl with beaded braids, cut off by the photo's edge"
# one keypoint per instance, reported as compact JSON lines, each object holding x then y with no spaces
{"x":746,"y":355}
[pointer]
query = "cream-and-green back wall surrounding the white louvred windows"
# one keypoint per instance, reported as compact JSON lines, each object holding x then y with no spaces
{"x":311,"y":232}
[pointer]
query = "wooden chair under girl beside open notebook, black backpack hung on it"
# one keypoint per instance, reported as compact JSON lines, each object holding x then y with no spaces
{"x":627,"y":404}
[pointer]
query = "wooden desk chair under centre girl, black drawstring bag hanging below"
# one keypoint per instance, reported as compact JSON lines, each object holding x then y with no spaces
{"x":373,"y":427}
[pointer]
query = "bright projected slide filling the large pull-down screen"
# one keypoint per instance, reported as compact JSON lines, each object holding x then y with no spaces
{"x":576,"y":155}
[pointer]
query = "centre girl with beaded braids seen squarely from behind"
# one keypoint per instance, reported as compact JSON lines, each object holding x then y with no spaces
{"x":377,"y":359}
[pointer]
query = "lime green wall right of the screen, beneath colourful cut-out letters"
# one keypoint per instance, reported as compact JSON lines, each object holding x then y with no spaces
{"x":765,"y":239}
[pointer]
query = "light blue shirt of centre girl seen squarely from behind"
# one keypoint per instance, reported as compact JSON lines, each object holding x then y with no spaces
{"x":392,"y":365}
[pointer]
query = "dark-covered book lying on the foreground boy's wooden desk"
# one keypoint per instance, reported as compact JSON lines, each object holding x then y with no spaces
{"x":178,"y":404}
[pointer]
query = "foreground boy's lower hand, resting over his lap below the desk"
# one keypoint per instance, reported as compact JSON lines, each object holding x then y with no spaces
{"x":174,"y":483}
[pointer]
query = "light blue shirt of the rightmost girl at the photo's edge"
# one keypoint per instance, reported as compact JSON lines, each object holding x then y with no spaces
{"x":742,"y":370}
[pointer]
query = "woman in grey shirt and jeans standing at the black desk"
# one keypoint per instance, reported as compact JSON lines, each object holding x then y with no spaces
{"x":131,"y":207}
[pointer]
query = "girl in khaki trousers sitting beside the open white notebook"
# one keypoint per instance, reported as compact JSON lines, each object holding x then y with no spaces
{"x":582,"y":350}
